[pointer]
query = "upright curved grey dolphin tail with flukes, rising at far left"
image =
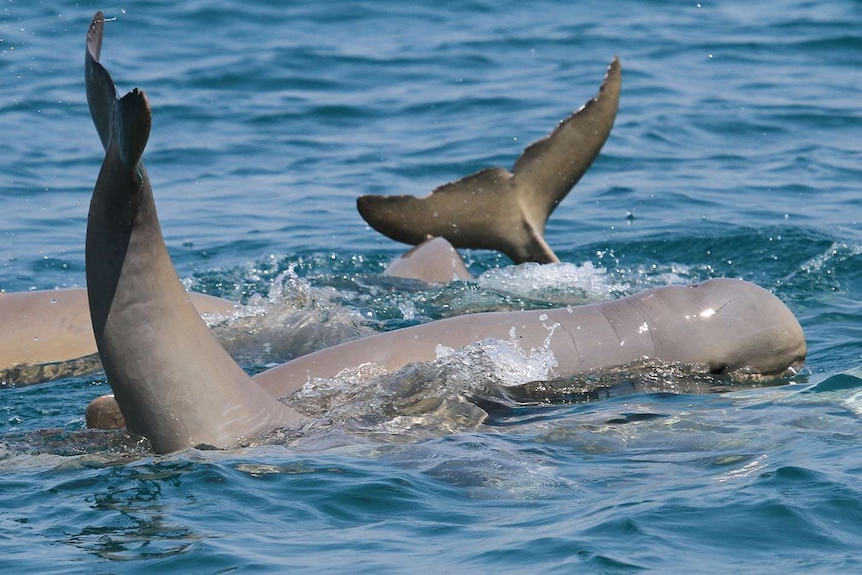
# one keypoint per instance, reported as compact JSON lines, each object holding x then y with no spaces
{"x":173,"y":382}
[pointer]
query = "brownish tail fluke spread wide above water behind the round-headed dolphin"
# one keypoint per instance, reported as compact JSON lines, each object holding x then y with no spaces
{"x":501,"y":210}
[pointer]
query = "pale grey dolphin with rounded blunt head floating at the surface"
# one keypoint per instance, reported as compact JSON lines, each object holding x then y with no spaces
{"x":718,"y":326}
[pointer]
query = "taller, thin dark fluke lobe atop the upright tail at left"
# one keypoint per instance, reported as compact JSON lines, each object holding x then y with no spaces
{"x":101,"y":92}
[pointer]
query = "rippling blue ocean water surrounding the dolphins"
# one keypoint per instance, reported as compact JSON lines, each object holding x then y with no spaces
{"x":736,"y":153}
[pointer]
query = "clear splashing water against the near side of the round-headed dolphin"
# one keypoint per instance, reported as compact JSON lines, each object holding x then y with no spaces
{"x":423,"y":399}
